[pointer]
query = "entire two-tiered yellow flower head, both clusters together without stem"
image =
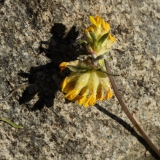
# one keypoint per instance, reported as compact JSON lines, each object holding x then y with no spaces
{"x":88,"y":82}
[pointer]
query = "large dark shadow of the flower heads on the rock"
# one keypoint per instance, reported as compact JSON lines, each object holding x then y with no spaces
{"x":45,"y":80}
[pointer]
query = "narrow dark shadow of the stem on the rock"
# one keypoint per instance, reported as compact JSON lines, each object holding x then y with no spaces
{"x":129,"y":128}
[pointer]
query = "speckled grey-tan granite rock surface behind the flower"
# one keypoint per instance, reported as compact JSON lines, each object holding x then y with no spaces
{"x":35,"y":37}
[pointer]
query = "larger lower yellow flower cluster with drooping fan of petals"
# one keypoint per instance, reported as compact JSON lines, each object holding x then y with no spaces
{"x":86,"y":88}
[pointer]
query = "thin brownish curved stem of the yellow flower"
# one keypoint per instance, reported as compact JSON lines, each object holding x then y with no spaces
{"x":125,"y":109}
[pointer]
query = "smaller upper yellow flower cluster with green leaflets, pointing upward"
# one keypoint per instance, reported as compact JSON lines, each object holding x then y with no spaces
{"x":98,"y":37}
